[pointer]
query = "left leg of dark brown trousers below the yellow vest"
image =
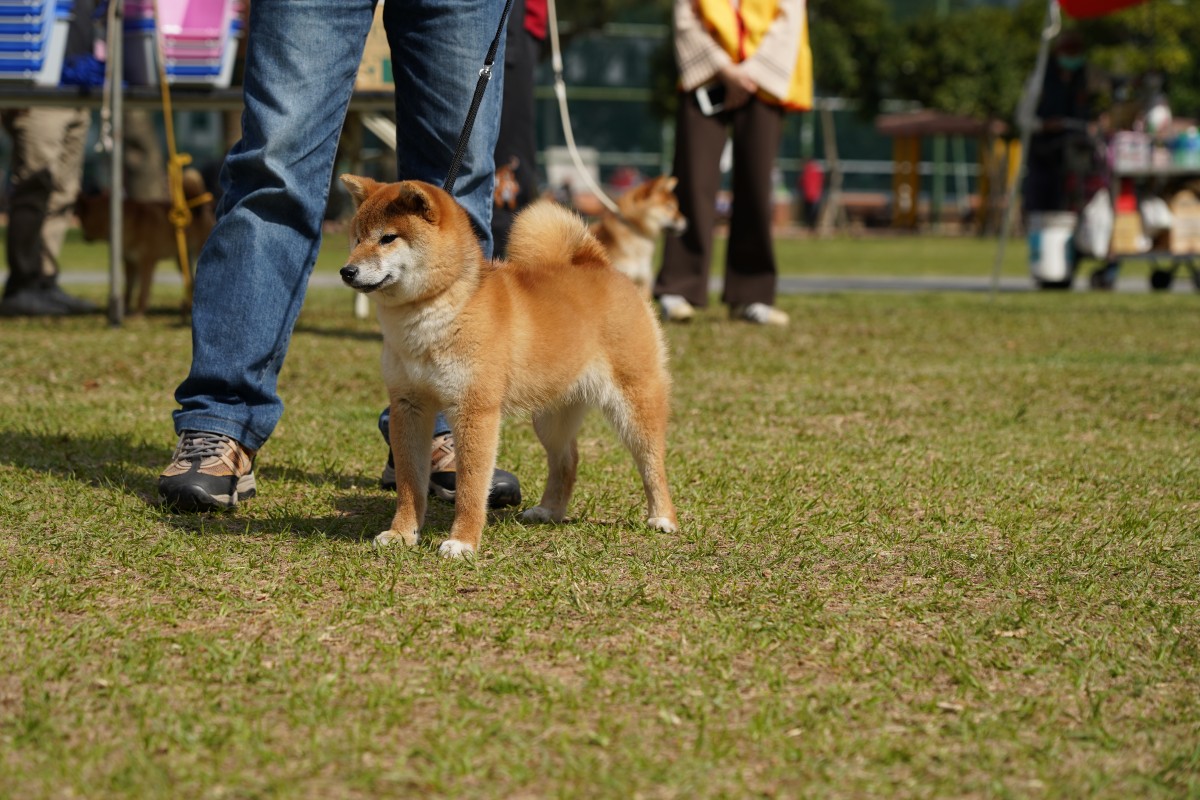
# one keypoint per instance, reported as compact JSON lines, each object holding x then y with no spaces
{"x":687,"y":258}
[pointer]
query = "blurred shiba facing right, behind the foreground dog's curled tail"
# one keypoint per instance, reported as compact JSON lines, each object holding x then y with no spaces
{"x":646,"y":212}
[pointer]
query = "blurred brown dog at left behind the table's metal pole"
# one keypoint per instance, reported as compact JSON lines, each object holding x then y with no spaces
{"x":148,"y":236}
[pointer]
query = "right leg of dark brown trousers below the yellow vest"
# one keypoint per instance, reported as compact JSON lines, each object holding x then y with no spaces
{"x":751,"y":274}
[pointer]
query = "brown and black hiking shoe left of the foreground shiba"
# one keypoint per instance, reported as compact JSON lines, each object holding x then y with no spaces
{"x":209,"y":472}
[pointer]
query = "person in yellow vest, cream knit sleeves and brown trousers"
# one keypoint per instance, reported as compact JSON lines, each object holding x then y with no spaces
{"x":741,"y":67}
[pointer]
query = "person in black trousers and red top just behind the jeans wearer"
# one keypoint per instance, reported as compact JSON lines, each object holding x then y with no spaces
{"x":517,"y":149}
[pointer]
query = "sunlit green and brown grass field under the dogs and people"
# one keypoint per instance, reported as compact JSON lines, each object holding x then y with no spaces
{"x":933,"y":545}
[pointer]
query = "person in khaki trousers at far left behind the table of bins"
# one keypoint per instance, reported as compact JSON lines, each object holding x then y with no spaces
{"x":46,"y":175}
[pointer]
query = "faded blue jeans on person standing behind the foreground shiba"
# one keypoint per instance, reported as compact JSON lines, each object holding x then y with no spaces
{"x":302,"y":61}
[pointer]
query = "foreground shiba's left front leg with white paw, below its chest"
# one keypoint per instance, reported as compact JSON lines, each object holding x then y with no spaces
{"x":411,"y":430}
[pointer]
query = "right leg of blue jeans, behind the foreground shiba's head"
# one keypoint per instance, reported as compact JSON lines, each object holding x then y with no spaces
{"x":439,"y":49}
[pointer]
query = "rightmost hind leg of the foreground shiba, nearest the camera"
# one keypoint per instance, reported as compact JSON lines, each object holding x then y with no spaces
{"x":640,"y":417}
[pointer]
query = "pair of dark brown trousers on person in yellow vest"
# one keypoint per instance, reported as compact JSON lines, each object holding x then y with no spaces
{"x":751,"y":274}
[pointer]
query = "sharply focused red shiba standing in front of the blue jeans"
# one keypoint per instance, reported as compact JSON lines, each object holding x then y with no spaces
{"x":553,"y":332}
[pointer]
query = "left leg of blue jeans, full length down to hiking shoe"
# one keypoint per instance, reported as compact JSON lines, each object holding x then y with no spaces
{"x":302,"y":59}
